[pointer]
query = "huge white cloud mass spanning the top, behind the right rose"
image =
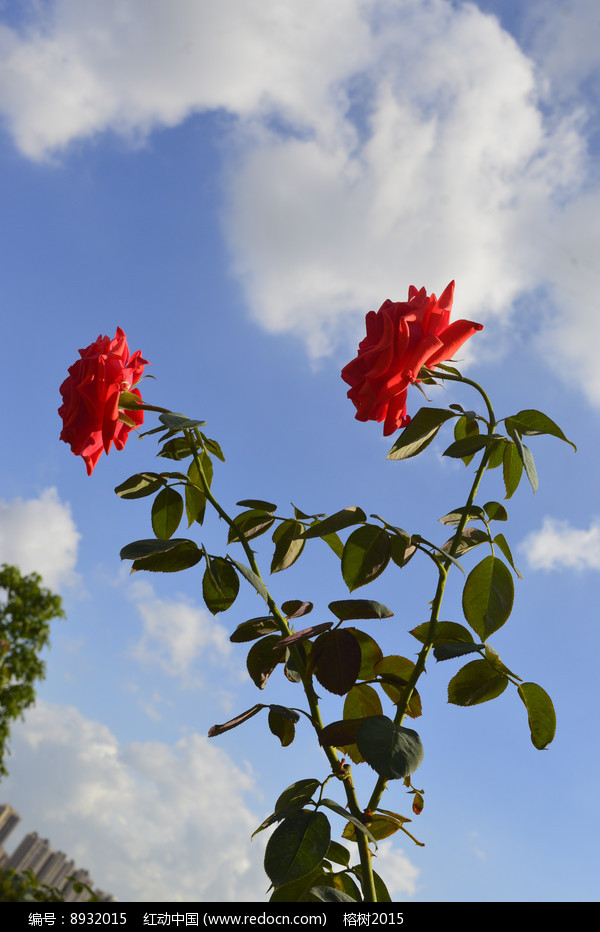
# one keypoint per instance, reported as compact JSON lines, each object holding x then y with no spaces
{"x":374,"y":144}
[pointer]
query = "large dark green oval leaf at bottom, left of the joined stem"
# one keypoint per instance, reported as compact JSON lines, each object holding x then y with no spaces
{"x":297,"y":846}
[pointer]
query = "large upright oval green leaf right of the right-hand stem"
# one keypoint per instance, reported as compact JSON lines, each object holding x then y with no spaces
{"x":488,"y":596}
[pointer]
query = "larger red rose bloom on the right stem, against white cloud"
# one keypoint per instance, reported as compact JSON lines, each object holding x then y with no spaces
{"x":401,"y":338}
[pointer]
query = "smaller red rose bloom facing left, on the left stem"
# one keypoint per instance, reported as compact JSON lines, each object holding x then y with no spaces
{"x":91,"y":392}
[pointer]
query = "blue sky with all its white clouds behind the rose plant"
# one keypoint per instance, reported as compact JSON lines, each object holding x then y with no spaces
{"x":236,"y":185}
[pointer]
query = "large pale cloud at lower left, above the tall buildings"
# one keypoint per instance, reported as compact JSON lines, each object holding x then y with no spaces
{"x":150,"y":822}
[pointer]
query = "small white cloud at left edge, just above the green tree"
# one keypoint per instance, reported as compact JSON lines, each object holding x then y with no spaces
{"x":39,"y":535}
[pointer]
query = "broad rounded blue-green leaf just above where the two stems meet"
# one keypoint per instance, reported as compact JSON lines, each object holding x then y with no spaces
{"x":394,"y":752}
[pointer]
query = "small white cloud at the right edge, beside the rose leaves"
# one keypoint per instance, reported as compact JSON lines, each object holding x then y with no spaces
{"x":558,"y":545}
